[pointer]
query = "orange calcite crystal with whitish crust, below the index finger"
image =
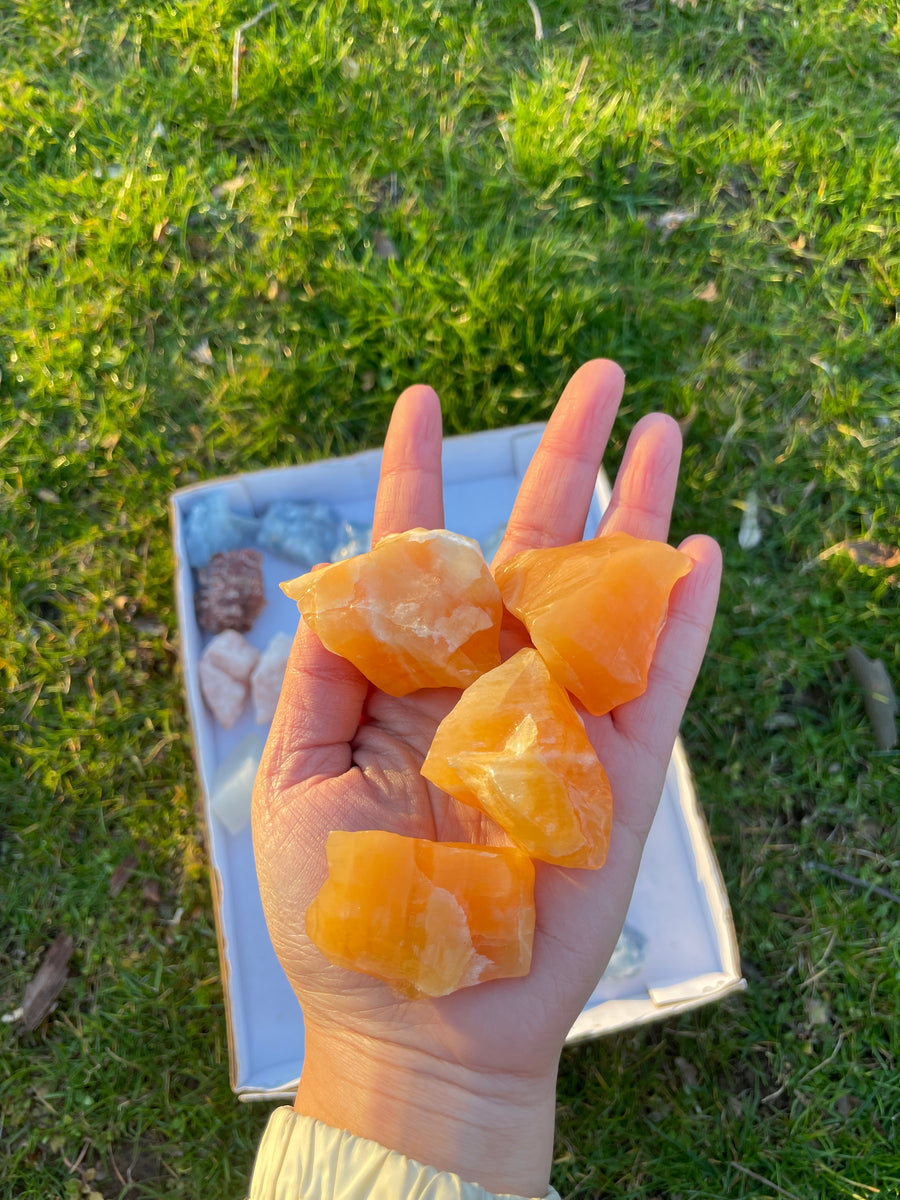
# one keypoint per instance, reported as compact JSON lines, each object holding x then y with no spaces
{"x":421,"y":610}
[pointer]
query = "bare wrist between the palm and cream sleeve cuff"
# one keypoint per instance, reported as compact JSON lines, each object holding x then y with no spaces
{"x":489,"y":1129}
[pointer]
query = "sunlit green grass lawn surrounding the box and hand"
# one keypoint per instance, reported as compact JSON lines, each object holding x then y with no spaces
{"x":526,"y":190}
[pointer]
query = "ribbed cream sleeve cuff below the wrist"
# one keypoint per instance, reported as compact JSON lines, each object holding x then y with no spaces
{"x":301,"y":1159}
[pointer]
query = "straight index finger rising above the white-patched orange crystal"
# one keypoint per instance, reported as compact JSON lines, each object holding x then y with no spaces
{"x":411,"y":490}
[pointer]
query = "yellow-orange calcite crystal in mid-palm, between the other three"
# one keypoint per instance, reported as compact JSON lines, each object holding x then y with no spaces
{"x":515,"y":748}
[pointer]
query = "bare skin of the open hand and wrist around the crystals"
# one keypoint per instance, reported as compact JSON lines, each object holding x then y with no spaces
{"x":467,"y":1083}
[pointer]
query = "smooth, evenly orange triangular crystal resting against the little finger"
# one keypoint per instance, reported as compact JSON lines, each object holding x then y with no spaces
{"x":595,"y":610}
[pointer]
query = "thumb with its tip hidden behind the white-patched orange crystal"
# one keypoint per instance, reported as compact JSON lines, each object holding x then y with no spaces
{"x":319,"y":715}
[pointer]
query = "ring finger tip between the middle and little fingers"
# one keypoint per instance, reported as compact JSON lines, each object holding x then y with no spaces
{"x":641,"y":502}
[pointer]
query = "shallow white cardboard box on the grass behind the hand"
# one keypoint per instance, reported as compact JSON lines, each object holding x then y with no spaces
{"x":680,"y":905}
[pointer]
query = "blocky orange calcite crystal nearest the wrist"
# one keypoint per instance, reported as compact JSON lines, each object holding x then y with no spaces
{"x":425,"y":917}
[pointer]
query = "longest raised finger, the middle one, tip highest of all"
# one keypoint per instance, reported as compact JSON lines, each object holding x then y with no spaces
{"x":555,"y":497}
